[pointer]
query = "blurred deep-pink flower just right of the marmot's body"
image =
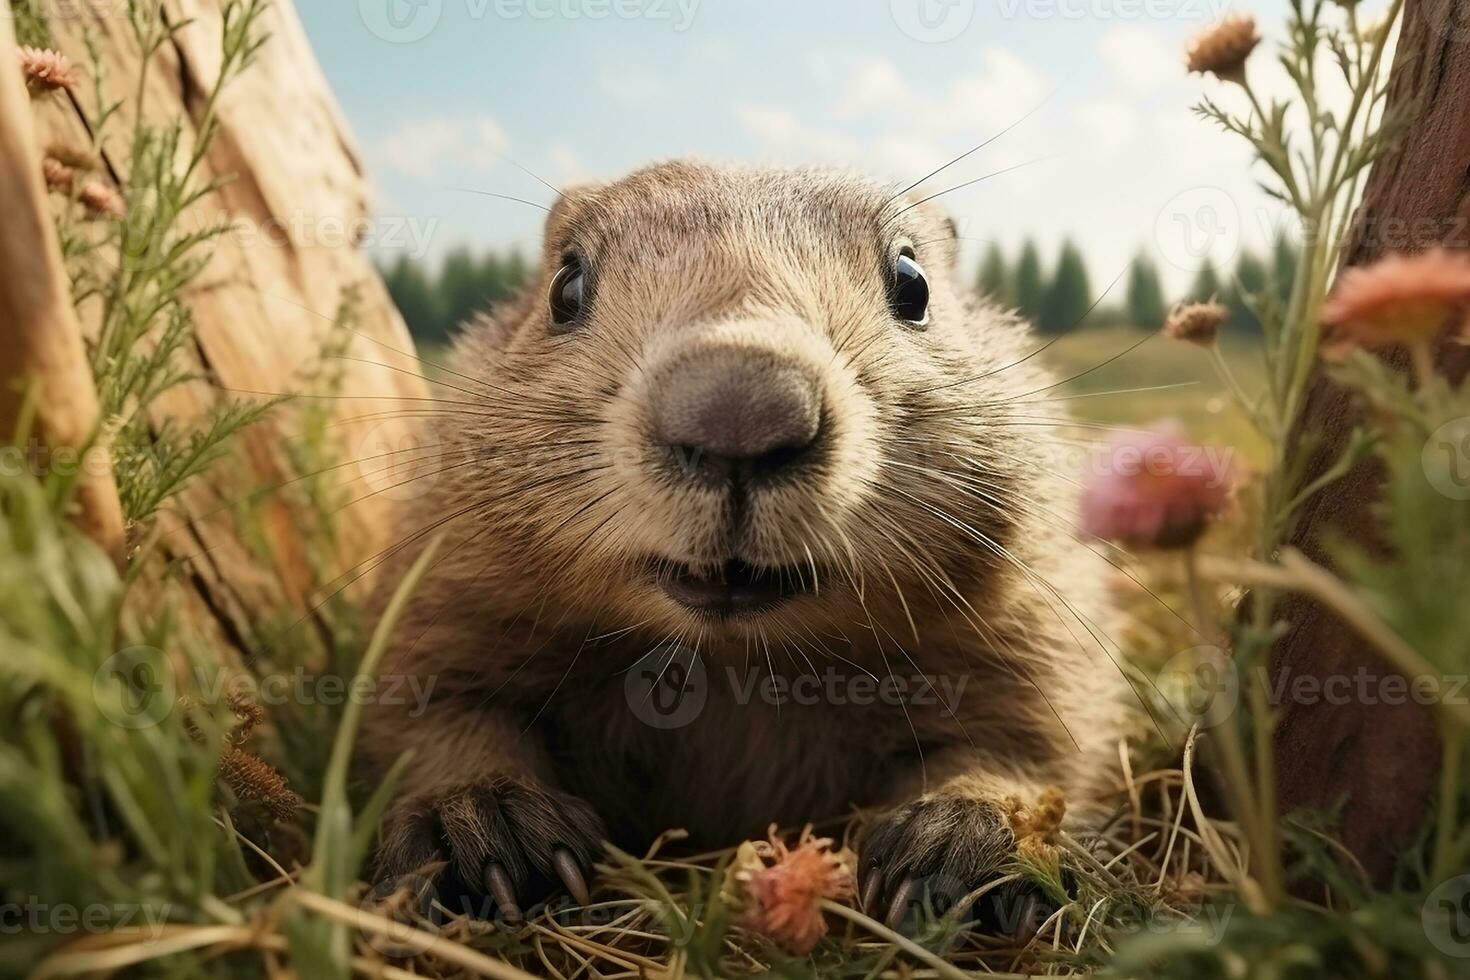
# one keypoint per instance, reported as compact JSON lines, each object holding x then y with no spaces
{"x":1155,"y":490}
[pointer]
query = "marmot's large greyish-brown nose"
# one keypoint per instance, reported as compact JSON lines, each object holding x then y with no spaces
{"x":733,"y":414}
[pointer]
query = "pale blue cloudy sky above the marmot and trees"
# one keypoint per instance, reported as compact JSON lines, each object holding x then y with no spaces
{"x":1090,"y":98}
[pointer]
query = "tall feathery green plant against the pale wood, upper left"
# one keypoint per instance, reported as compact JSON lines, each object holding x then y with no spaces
{"x":137,"y":270}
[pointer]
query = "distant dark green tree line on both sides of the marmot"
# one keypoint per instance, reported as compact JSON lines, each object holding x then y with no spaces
{"x":1058,"y":298}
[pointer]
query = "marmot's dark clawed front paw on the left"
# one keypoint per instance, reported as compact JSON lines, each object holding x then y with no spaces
{"x":511,"y":841}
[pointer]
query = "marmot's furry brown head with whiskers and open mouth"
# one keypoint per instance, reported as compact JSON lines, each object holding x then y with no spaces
{"x":743,"y":403}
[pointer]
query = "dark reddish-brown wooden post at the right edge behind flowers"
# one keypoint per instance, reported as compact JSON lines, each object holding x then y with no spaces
{"x":1380,"y":759}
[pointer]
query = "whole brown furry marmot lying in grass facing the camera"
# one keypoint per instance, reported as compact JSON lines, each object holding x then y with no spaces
{"x":755,"y":516}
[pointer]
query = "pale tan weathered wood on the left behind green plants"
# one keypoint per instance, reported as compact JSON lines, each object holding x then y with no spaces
{"x":298,"y":205}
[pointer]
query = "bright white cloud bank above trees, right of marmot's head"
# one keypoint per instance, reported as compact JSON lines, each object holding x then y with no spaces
{"x":1122,"y":162}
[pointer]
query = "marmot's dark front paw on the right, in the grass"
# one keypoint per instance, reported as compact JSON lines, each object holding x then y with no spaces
{"x":931,"y":851}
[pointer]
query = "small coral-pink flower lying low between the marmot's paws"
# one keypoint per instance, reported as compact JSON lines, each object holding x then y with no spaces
{"x":781,"y":890}
